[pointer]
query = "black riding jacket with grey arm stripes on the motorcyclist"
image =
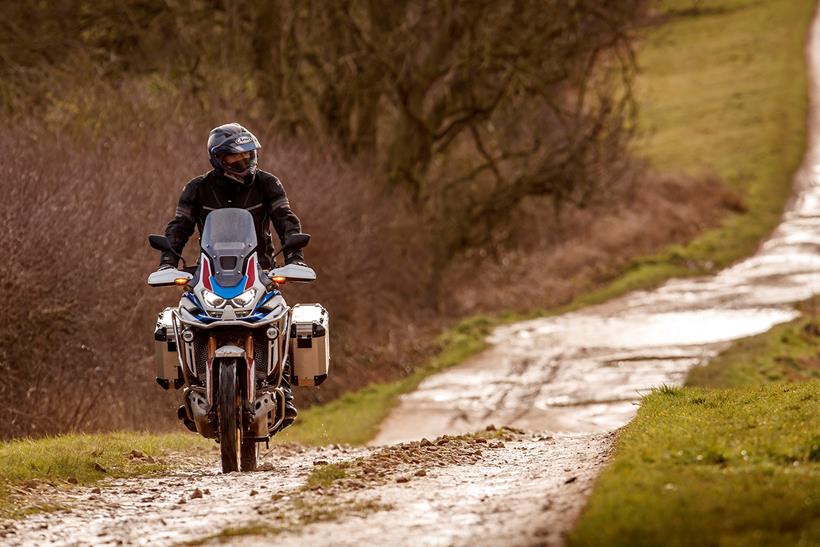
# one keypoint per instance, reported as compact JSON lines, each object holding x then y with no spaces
{"x":264,"y":198}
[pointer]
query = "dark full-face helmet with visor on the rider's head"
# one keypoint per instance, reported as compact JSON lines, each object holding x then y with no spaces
{"x":232,"y":139}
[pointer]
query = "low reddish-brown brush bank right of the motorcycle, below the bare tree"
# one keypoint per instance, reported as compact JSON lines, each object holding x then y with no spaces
{"x":546,"y":260}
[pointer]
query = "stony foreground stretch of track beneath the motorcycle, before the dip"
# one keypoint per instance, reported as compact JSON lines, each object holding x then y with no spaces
{"x":501,"y":487}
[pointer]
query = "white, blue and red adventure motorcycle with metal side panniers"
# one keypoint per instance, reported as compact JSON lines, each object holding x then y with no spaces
{"x":233,"y":337}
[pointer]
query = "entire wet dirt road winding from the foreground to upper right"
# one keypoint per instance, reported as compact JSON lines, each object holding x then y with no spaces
{"x":567,"y":381}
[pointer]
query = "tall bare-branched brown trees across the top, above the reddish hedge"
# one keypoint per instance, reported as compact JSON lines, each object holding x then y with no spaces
{"x":466,"y":107}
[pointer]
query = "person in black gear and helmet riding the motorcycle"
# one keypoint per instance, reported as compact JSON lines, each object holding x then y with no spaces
{"x":235,"y":181}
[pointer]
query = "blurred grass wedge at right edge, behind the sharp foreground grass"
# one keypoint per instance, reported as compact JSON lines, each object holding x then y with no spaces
{"x":788,"y":353}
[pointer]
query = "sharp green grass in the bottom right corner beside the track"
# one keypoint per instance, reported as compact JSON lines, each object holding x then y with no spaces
{"x":713,"y":467}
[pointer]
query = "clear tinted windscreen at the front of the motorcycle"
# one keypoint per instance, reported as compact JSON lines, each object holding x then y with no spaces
{"x":228,"y":239}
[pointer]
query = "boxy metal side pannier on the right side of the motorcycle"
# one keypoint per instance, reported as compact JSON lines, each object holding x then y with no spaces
{"x":309,"y":344}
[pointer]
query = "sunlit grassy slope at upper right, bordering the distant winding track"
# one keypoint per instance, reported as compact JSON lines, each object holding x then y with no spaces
{"x":723,"y":92}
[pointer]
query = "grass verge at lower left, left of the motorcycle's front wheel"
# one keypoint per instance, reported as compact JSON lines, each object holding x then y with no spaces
{"x":83,"y":459}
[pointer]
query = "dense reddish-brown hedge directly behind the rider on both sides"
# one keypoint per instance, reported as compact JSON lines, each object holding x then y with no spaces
{"x":76,"y":342}
